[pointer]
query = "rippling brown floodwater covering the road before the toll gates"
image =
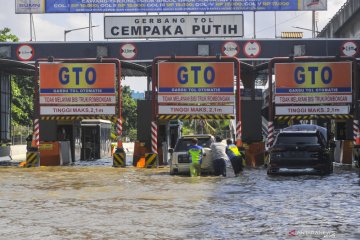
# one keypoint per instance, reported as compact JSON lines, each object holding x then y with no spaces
{"x":92,"y":200}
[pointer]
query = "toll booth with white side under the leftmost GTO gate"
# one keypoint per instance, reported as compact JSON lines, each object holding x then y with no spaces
{"x":95,"y":139}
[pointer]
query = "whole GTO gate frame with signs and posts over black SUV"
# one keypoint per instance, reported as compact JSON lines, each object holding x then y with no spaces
{"x":320,"y":90}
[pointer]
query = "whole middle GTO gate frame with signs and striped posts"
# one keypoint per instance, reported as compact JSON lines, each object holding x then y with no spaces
{"x":189,"y":87}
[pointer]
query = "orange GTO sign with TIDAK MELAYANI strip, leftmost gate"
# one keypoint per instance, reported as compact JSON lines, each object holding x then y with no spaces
{"x":77,"y":83}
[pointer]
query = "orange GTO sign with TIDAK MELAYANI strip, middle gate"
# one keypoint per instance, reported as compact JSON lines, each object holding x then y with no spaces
{"x":196,"y":83}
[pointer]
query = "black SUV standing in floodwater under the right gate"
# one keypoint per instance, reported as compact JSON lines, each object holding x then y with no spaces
{"x":300,"y":151}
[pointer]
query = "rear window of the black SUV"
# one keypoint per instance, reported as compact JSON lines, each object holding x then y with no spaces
{"x":297,"y":139}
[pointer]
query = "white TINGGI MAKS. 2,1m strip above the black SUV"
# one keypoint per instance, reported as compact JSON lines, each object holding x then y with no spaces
{"x":311,"y":110}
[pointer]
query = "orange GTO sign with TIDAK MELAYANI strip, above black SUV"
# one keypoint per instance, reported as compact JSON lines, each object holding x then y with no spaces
{"x":313,"y":83}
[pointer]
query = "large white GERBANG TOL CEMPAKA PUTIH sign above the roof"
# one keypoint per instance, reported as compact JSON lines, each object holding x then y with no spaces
{"x":170,"y":26}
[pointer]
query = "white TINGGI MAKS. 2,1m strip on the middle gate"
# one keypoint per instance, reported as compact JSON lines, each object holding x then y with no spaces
{"x":196,"y":109}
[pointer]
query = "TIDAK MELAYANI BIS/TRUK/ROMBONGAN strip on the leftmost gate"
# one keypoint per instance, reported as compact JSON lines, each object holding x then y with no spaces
{"x":75,"y":100}
